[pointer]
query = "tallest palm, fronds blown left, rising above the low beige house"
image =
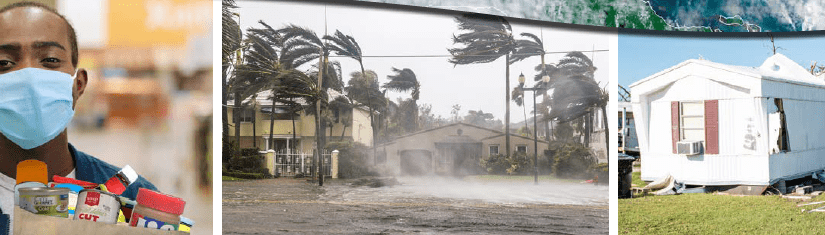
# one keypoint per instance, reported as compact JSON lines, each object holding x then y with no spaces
{"x":487,"y":39}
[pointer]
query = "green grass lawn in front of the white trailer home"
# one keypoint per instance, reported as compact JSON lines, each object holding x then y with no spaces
{"x":718,"y":214}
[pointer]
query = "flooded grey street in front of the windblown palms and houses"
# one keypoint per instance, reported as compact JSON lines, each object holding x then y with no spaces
{"x":417,"y":205}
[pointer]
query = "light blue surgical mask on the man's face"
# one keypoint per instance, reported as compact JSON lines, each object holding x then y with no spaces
{"x":35,"y":105}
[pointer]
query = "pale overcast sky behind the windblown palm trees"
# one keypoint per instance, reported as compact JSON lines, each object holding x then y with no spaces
{"x":392,"y":32}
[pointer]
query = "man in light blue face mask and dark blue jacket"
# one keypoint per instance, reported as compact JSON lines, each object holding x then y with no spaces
{"x":39,"y":87}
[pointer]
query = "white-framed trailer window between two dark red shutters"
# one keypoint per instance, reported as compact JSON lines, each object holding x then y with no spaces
{"x":692,"y":121}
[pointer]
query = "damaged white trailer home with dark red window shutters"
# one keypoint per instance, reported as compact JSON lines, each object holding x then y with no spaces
{"x":713,"y":124}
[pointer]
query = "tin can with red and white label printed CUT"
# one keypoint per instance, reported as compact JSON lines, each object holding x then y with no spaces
{"x":98,"y":206}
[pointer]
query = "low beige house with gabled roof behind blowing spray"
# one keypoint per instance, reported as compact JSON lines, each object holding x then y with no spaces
{"x":451,"y":149}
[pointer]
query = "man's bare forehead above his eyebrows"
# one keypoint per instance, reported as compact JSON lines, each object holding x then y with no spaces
{"x":25,"y":25}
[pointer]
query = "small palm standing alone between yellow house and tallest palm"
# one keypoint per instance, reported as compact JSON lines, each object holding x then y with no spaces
{"x":404,"y":80}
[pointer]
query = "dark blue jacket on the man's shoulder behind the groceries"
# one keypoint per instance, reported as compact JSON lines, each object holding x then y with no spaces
{"x":92,"y":169}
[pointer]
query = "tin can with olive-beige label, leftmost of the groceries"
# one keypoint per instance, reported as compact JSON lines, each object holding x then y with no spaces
{"x":45,"y":201}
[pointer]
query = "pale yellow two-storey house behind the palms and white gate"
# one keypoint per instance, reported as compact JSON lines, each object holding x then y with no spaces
{"x":352,"y":124}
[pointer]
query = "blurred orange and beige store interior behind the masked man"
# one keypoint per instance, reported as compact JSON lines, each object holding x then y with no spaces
{"x":149,"y":99}
